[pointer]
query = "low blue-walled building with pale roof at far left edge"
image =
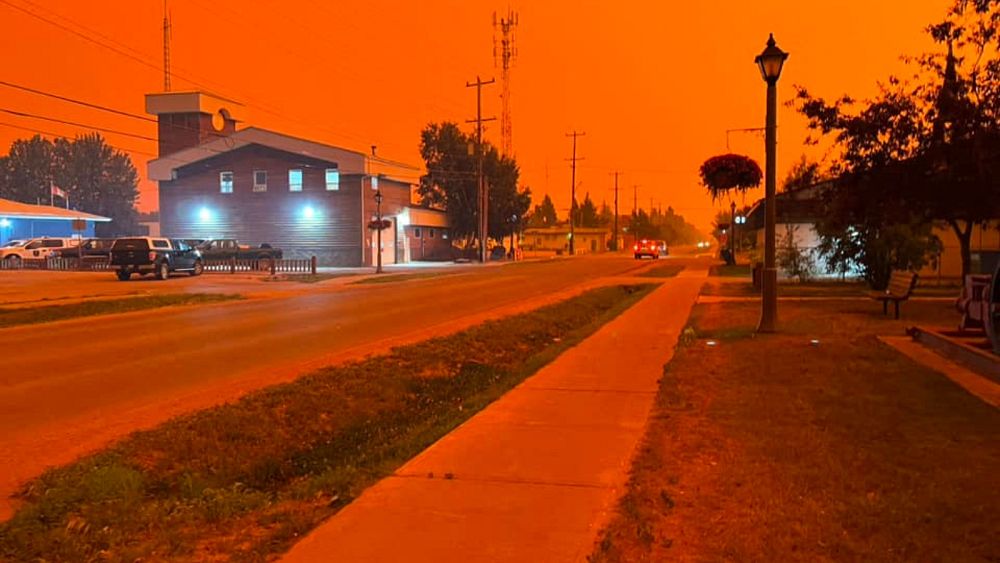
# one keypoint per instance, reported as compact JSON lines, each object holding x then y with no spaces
{"x":24,"y":221}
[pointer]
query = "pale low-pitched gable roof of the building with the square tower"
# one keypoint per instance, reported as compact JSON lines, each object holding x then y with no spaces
{"x":347,"y":161}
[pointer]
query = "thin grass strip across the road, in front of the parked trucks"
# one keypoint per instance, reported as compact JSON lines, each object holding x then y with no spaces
{"x":14,"y":316}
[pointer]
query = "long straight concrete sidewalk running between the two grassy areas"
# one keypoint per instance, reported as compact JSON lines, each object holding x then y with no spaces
{"x":534,"y":476}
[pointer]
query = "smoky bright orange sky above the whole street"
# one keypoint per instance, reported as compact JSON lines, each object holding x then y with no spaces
{"x":654,"y":84}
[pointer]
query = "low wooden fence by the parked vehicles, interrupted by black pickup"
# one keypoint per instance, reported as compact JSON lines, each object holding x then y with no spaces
{"x":227,"y":266}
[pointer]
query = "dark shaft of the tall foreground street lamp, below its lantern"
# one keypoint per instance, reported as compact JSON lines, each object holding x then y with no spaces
{"x":769,"y":293}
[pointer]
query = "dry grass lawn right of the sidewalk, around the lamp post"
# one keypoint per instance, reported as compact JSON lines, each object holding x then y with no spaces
{"x":774,"y":449}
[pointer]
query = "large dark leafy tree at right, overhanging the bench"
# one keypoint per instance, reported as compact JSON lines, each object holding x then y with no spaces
{"x":933,"y":144}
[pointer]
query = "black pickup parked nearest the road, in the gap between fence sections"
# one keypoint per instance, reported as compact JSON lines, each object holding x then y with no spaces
{"x":153,"y":255}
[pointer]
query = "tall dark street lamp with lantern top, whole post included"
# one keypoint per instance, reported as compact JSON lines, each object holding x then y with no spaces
{"x":770,"y":62}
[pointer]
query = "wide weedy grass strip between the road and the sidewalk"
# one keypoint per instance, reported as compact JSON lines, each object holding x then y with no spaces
{"x":244,"y":480}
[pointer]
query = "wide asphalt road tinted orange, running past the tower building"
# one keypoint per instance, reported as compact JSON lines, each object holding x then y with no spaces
{"x":70,"y":387}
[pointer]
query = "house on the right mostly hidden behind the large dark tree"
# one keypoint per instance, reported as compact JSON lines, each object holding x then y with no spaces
{"x":798,"y":210}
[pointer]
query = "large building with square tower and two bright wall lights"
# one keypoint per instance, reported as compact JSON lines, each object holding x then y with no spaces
{"x":258,"y":186}
